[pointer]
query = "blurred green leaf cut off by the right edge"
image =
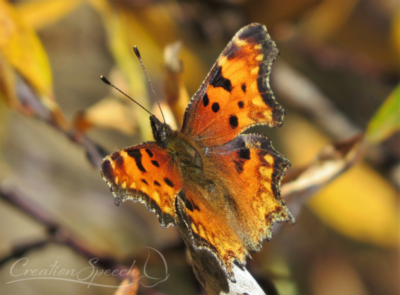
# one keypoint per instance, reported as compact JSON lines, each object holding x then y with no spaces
{"x":386,"y":120}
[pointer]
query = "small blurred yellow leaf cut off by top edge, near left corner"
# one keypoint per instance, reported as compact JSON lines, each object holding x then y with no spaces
{"x":41,"y":13}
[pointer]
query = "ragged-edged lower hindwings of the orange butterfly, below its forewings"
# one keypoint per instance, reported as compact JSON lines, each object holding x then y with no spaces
{"x":239,"y":214}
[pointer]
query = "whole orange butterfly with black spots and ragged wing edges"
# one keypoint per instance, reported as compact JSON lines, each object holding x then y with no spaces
{"x":224,"y":185}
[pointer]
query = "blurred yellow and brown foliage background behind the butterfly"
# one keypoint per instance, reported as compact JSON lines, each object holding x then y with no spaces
{"x":339,"y":63}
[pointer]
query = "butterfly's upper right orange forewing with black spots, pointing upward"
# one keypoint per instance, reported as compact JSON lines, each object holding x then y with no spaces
{"x":236,"y":93}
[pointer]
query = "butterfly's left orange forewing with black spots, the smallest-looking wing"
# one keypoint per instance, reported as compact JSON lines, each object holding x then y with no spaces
{"x":145,"y":173}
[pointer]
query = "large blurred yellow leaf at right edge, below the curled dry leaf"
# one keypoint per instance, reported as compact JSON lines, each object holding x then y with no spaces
{"x":362,"y":205}
